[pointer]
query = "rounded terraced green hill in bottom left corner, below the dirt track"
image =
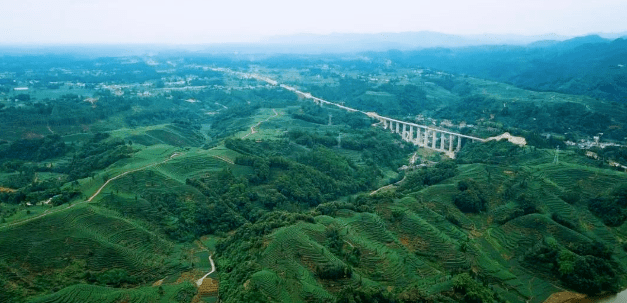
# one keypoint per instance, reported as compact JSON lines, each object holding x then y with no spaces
{"x":86,"y":242}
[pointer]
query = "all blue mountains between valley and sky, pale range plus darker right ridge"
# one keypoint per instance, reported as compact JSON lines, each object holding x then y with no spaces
{"x":593,"y":65}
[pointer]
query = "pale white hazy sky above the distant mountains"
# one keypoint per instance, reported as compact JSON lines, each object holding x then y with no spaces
{"x":195,"y":21}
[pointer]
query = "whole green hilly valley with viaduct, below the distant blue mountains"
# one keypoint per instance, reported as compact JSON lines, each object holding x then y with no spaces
{"x":204,"y":179}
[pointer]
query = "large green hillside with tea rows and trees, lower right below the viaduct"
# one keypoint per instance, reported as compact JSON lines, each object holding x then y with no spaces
{"x":414,"y":238}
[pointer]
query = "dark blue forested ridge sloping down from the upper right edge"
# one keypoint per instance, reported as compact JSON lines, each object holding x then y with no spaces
{"x":589,"y":65}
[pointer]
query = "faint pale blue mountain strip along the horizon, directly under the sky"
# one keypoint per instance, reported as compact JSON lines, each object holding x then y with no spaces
{"x":319,"y":44}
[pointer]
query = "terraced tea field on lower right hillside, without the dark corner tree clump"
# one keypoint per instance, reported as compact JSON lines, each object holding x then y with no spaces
{"x":418,"y":237}
